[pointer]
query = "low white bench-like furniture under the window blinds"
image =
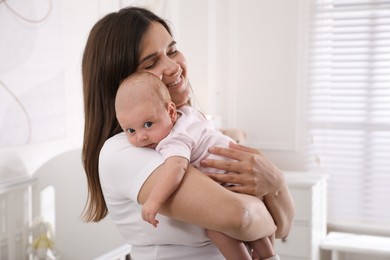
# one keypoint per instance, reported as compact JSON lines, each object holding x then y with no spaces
{"x":353,"y":243}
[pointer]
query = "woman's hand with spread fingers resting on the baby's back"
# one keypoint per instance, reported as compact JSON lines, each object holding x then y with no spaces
{"x":252,"y":171}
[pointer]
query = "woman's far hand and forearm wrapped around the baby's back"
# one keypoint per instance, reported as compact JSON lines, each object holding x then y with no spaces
{"x":259,"y":177}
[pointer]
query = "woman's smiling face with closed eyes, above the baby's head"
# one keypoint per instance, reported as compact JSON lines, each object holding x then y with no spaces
{"x":159,"y":55}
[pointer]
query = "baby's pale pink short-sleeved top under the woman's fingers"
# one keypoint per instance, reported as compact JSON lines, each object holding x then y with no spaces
{"x":191,"y":137}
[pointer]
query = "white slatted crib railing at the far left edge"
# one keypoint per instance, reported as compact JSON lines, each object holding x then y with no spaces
{"x":15,"y":217}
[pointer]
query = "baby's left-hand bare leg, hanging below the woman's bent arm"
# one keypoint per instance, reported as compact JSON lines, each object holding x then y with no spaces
{"x":231,"y":248}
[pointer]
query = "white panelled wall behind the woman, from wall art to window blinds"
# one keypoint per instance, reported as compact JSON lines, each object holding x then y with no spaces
{"x":254,"y":85}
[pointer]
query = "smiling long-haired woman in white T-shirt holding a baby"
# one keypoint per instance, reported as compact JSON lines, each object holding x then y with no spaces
{"x":135,"y":39}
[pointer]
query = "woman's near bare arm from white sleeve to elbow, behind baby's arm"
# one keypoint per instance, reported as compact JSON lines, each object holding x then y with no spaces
{"x":201,"y":201}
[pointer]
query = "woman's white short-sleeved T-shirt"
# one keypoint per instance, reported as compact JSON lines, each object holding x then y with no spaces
{"x":123,"y":168}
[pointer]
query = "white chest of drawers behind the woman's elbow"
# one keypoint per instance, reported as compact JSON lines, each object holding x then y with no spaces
{"x":309,"y":193}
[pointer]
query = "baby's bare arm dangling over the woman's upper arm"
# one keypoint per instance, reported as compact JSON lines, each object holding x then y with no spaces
{"x":173,"y":169}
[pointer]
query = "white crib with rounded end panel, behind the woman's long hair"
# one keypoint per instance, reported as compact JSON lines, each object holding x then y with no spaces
{"x":24,"y":199}
